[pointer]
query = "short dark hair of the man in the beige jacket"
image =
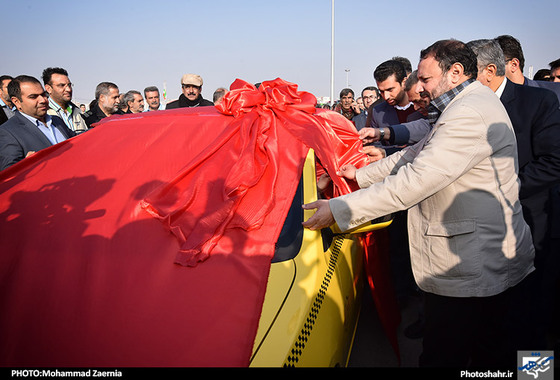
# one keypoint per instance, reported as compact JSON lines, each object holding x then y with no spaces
{"x":449,"y":52}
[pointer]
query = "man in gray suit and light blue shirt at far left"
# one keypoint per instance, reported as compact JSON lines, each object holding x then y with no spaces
{"x":30,"y":129}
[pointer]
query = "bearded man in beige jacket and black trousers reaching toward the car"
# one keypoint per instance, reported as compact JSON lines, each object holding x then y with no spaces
{"x":469,"y":243}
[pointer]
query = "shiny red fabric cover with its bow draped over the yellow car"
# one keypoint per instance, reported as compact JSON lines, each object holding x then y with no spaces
{"x":88,"y":277}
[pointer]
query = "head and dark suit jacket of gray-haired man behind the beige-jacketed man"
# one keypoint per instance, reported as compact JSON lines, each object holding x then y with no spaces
{"x":535,"y":115}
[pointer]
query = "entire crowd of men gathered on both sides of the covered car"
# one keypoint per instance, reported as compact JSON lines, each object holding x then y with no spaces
{"x":465,"y":153}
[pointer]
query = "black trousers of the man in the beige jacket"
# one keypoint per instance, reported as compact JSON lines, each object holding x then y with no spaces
{"x":466,"y":332}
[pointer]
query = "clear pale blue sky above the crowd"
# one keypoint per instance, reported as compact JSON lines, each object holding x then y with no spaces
{"x":140,"y":43}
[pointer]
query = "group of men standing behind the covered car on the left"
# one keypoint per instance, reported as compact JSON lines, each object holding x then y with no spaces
{"x":34,"y":115}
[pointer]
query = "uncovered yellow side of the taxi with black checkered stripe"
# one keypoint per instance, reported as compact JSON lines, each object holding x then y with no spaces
{"x":312,"y":302}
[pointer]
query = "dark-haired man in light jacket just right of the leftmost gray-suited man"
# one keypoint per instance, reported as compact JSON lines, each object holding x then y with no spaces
{"x":59,"y":88}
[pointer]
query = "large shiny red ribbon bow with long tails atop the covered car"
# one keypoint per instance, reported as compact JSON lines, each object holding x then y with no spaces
{"x":249,"y":153}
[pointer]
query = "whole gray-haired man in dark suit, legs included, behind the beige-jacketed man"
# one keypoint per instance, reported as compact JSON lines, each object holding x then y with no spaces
{"x":535,"y":116}
